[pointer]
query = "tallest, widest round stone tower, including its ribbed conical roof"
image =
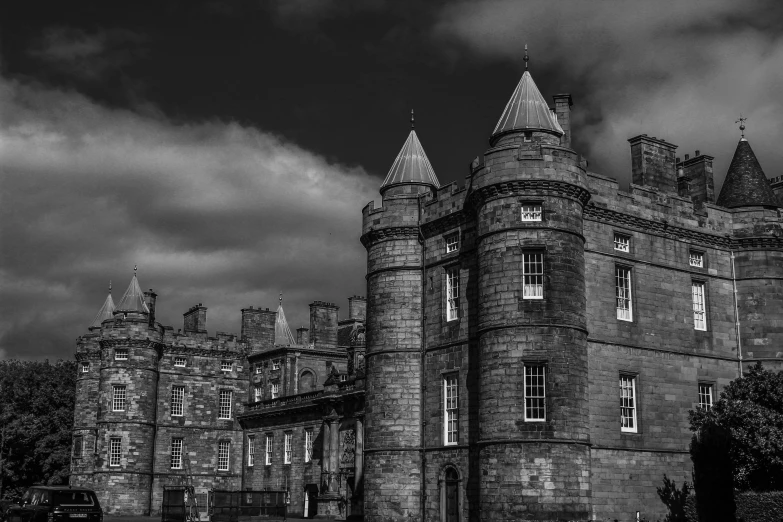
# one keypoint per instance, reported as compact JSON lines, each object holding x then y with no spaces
{"x":534,"y":457}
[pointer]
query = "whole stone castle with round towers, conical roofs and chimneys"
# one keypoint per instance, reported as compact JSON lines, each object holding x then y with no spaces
{"x":529,"y":347}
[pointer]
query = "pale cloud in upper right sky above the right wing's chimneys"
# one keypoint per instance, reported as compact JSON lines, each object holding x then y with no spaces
{"x":682,"y":71}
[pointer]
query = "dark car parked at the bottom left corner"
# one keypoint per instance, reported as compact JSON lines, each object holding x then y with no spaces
{"x":56,"y":504}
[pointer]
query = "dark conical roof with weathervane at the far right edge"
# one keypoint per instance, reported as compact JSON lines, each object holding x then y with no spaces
{"x":745,"y":184}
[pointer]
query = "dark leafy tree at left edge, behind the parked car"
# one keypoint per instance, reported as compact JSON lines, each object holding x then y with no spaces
{"x":36,"y":421}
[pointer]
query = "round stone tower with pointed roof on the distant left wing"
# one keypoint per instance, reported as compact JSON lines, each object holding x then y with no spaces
{"x":130,"y":350}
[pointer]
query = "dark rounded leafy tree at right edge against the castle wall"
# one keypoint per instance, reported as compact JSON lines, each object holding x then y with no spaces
{"x":751,"y":408}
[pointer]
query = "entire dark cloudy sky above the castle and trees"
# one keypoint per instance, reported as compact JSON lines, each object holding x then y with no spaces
{"x":228,"y":147}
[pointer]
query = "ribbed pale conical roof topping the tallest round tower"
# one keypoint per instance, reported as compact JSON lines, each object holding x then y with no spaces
{"x":527,"y":110}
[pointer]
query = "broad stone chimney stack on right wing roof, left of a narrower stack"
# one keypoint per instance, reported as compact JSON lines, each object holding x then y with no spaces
{"x":653,"y":163}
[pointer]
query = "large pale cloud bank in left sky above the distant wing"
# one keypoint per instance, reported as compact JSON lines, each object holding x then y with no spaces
{"x":212,"y":212}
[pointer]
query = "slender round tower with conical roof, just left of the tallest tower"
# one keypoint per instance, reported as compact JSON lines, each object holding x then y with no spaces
{"x":392,"y":458}
